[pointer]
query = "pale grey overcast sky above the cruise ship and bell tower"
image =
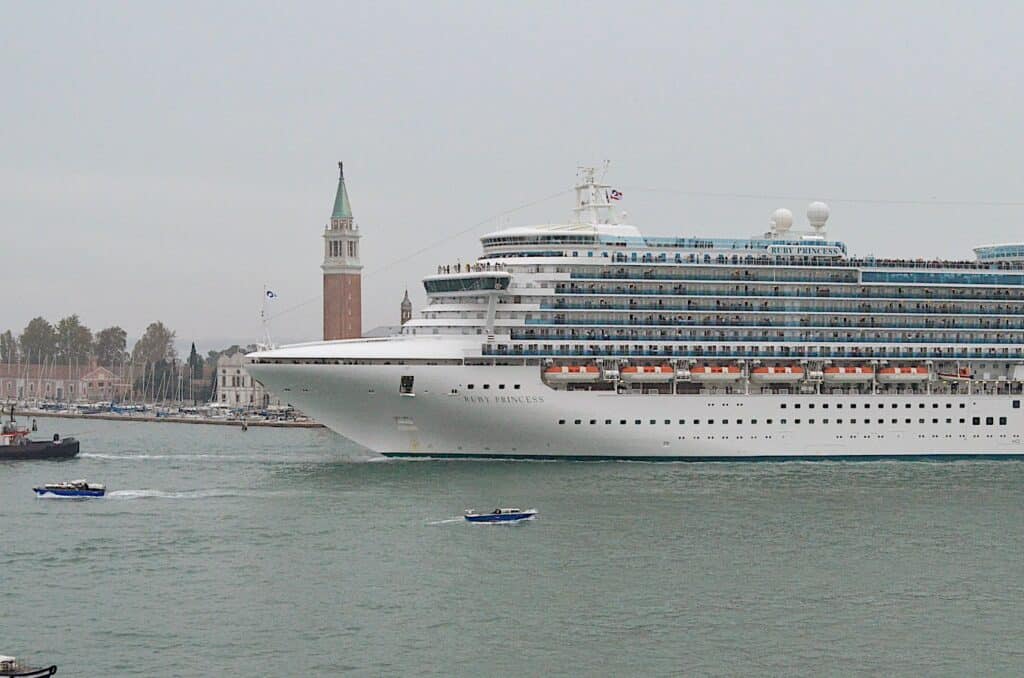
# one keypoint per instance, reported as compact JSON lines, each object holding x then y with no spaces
{"x":165,"y":160}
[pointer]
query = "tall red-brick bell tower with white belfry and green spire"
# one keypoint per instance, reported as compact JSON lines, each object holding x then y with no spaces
{"x":343,"y":272}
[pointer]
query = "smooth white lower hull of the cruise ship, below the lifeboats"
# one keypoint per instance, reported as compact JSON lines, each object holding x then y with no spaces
{"x":446,"y":418}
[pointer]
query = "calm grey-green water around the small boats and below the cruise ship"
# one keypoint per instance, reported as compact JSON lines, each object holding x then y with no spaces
{"x":282,"y":553}
